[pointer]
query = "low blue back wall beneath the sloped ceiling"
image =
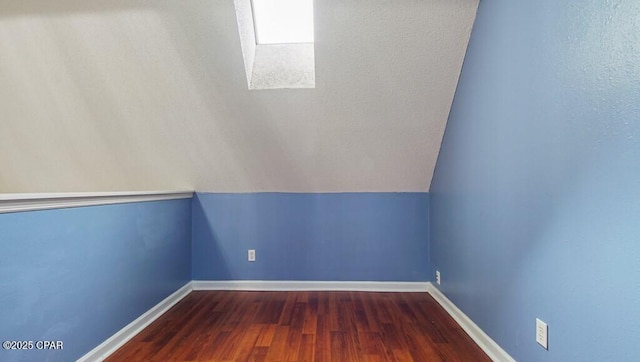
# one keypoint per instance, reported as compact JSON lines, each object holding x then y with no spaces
{"x":333,"y":237}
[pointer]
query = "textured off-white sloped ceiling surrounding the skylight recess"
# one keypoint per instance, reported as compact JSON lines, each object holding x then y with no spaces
{"x":146,"y":95}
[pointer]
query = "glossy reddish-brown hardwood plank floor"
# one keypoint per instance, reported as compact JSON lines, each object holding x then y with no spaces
{"x":302,"y":326}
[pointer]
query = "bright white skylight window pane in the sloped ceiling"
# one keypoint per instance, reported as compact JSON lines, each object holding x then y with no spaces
{"x":283,"y":21}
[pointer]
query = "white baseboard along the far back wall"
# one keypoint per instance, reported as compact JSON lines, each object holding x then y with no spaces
{"x":296,"y":285}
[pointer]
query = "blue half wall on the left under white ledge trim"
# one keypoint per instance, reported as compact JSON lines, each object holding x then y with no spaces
{"x":79,"y":275}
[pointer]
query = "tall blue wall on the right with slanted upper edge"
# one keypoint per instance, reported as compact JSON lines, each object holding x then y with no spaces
{"x":535,"y":202}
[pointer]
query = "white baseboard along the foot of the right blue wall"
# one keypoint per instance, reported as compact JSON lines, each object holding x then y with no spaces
{"x":488,"y":345}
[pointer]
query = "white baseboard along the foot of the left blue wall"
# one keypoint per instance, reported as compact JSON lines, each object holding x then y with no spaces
{"x":106,"y":348}
